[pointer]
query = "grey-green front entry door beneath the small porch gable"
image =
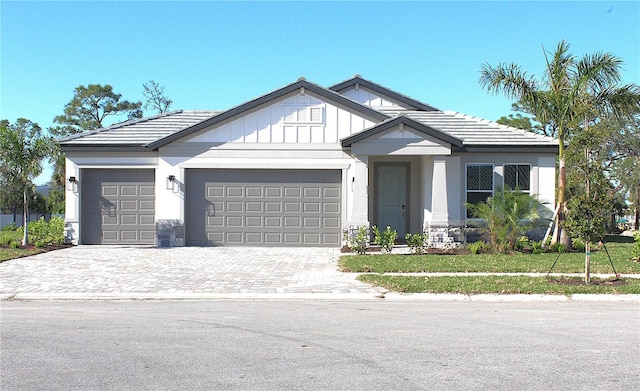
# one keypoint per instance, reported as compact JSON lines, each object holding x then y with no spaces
{"x":392,"y":198}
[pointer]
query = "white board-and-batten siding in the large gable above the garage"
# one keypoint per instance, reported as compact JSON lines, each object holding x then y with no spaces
{"x":299,"y":119}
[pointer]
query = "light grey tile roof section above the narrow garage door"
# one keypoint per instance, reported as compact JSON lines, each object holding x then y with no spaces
{"x":140,"y":132}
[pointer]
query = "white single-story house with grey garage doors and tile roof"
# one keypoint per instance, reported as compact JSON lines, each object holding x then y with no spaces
{"x":298,"y":166}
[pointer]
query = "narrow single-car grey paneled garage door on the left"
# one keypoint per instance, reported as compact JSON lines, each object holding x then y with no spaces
{"x":118,"y":206}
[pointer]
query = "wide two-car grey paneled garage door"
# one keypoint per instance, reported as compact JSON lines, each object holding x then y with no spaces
{"x":263,"y":207}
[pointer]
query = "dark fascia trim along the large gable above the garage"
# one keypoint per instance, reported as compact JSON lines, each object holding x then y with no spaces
{"x":340,"y":100}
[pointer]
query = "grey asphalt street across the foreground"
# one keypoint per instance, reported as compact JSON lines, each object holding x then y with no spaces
{"x":319,"y":345}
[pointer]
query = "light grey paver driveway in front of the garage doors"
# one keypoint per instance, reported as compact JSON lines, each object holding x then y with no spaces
{"x":84,"y":272}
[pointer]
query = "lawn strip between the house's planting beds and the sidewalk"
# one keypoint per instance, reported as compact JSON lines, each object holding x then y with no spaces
{"x":493,"y":263}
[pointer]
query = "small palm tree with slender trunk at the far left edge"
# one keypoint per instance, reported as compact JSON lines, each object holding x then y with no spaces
{"x":22,"y":150}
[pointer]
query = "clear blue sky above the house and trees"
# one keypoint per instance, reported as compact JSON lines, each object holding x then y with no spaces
{"x":214,"y":55}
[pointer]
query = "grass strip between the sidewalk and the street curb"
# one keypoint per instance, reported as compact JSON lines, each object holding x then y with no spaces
{"x":498,"y":285}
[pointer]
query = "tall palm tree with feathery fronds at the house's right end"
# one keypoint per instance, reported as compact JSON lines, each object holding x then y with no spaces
{"x":571,"y":91}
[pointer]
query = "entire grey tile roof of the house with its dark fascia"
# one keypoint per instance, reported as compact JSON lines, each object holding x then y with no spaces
{"x":151,"y":132}
